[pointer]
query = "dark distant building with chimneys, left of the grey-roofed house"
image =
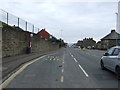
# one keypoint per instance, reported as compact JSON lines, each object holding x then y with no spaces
{"x":87,"y":43}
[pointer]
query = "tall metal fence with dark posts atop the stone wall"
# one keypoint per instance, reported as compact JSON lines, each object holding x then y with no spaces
{"x":18,"y":22}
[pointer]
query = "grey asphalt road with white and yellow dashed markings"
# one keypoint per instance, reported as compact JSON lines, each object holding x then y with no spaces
{"x":67,"y":68}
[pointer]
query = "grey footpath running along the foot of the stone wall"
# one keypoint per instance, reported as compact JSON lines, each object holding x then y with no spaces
{"x":11,"y":64}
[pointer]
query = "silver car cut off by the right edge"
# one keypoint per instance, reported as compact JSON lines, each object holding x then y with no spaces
{"x":111,"y":60}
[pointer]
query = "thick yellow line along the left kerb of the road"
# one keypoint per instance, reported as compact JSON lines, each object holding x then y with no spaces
{"x":7,"y":81}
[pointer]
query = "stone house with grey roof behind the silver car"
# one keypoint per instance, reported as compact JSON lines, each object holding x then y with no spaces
{"x":110,"y":40}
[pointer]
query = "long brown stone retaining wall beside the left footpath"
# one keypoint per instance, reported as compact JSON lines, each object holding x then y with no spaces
{"x":15,"y":41}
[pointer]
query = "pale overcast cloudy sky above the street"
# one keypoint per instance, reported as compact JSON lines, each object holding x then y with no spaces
{"x":71,"y":20}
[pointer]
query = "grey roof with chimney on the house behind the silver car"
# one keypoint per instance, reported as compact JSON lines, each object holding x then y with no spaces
{"x":113,"y":35}
